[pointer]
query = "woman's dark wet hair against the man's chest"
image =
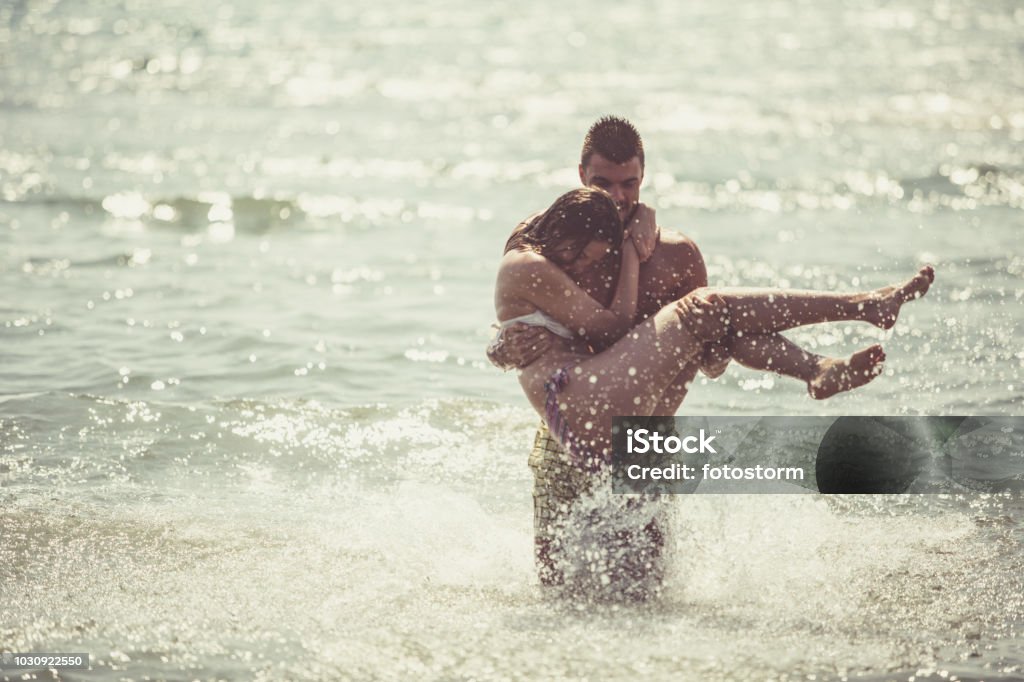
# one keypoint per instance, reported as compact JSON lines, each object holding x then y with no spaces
{"x":576,"y":220}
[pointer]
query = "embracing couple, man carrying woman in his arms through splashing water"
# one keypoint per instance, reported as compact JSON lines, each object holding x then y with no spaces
{"x":605,"y":315}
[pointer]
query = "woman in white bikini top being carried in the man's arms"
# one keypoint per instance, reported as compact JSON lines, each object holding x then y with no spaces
{"x":578,"y":394}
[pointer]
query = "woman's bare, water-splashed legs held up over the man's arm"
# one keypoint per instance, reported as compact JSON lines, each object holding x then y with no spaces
{"x":631,"y":377}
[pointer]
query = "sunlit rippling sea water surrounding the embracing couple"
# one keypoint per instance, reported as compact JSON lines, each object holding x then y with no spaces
{"x":247,"y":257}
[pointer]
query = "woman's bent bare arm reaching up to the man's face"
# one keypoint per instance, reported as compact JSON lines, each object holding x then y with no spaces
{"x":536,"y":280}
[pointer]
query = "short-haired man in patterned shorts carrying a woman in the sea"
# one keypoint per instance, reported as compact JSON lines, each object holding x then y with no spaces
{"x":672,"y":267}
